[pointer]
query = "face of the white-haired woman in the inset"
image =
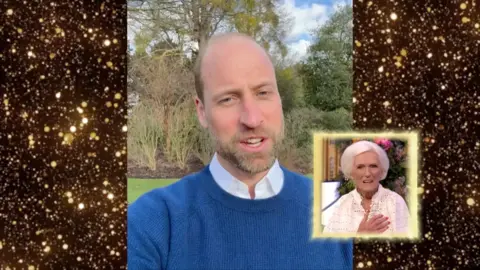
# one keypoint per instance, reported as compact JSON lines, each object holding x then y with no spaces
{"x":366,"y":171}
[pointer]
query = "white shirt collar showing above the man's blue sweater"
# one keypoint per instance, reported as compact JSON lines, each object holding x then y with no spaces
{"x":268,"y":187}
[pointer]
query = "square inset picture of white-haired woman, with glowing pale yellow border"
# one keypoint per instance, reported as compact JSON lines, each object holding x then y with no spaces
{"x":365,"y":185}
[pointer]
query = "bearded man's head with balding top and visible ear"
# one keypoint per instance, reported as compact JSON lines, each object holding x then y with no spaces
{"x":242,"y":108}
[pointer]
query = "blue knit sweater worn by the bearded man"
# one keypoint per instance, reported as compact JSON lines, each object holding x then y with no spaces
{"x":194,"y":224}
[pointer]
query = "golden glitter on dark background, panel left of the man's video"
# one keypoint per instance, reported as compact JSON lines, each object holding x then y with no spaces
{"x":62,"y":148}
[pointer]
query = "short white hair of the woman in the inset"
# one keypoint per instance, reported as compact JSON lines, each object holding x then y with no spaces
{"x":348,"y":157}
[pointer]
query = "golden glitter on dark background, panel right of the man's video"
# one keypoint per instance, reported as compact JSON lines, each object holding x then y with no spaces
{"x":417,"y":66}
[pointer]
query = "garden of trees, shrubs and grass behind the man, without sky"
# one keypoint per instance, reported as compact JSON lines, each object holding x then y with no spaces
{"x":165,"y":140}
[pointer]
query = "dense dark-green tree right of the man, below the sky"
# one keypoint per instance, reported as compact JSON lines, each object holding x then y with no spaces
{"x":327,"y":72}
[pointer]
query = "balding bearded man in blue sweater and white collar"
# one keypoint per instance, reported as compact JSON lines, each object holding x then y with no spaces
{"x":244,"y":210}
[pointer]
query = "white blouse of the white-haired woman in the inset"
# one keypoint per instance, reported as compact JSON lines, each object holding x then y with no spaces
{"x":348,"y":212}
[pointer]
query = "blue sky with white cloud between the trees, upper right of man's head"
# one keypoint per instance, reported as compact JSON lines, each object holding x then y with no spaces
{"x":307,"y":15}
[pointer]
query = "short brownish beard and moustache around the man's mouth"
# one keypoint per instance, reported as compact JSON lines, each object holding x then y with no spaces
{"x":251,"y":163}
